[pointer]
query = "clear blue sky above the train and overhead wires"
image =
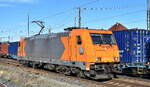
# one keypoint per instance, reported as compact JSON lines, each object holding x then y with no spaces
{"x":13,"y":15}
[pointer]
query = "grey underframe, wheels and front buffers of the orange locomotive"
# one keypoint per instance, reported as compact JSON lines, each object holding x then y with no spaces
{"x":97,"y":70}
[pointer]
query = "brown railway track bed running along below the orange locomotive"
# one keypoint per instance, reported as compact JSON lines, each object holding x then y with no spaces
{"x":122,"y":81}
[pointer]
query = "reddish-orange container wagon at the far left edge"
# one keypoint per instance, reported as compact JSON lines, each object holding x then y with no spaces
{"x":3,"y":49}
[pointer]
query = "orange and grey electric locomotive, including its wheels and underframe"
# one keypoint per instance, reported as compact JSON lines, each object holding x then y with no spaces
{"x":83,"y":52}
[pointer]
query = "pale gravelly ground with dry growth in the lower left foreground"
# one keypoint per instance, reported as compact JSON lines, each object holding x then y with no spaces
{"x":27,"y":79}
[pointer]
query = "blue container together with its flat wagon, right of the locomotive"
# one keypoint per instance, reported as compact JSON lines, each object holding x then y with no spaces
{"x":134,"y":46}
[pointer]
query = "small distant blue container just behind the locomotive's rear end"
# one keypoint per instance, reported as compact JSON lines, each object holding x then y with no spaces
{"x":13,"y":48}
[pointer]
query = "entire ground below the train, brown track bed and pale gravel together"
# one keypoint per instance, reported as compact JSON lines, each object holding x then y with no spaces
{"x":14,"y":74}
